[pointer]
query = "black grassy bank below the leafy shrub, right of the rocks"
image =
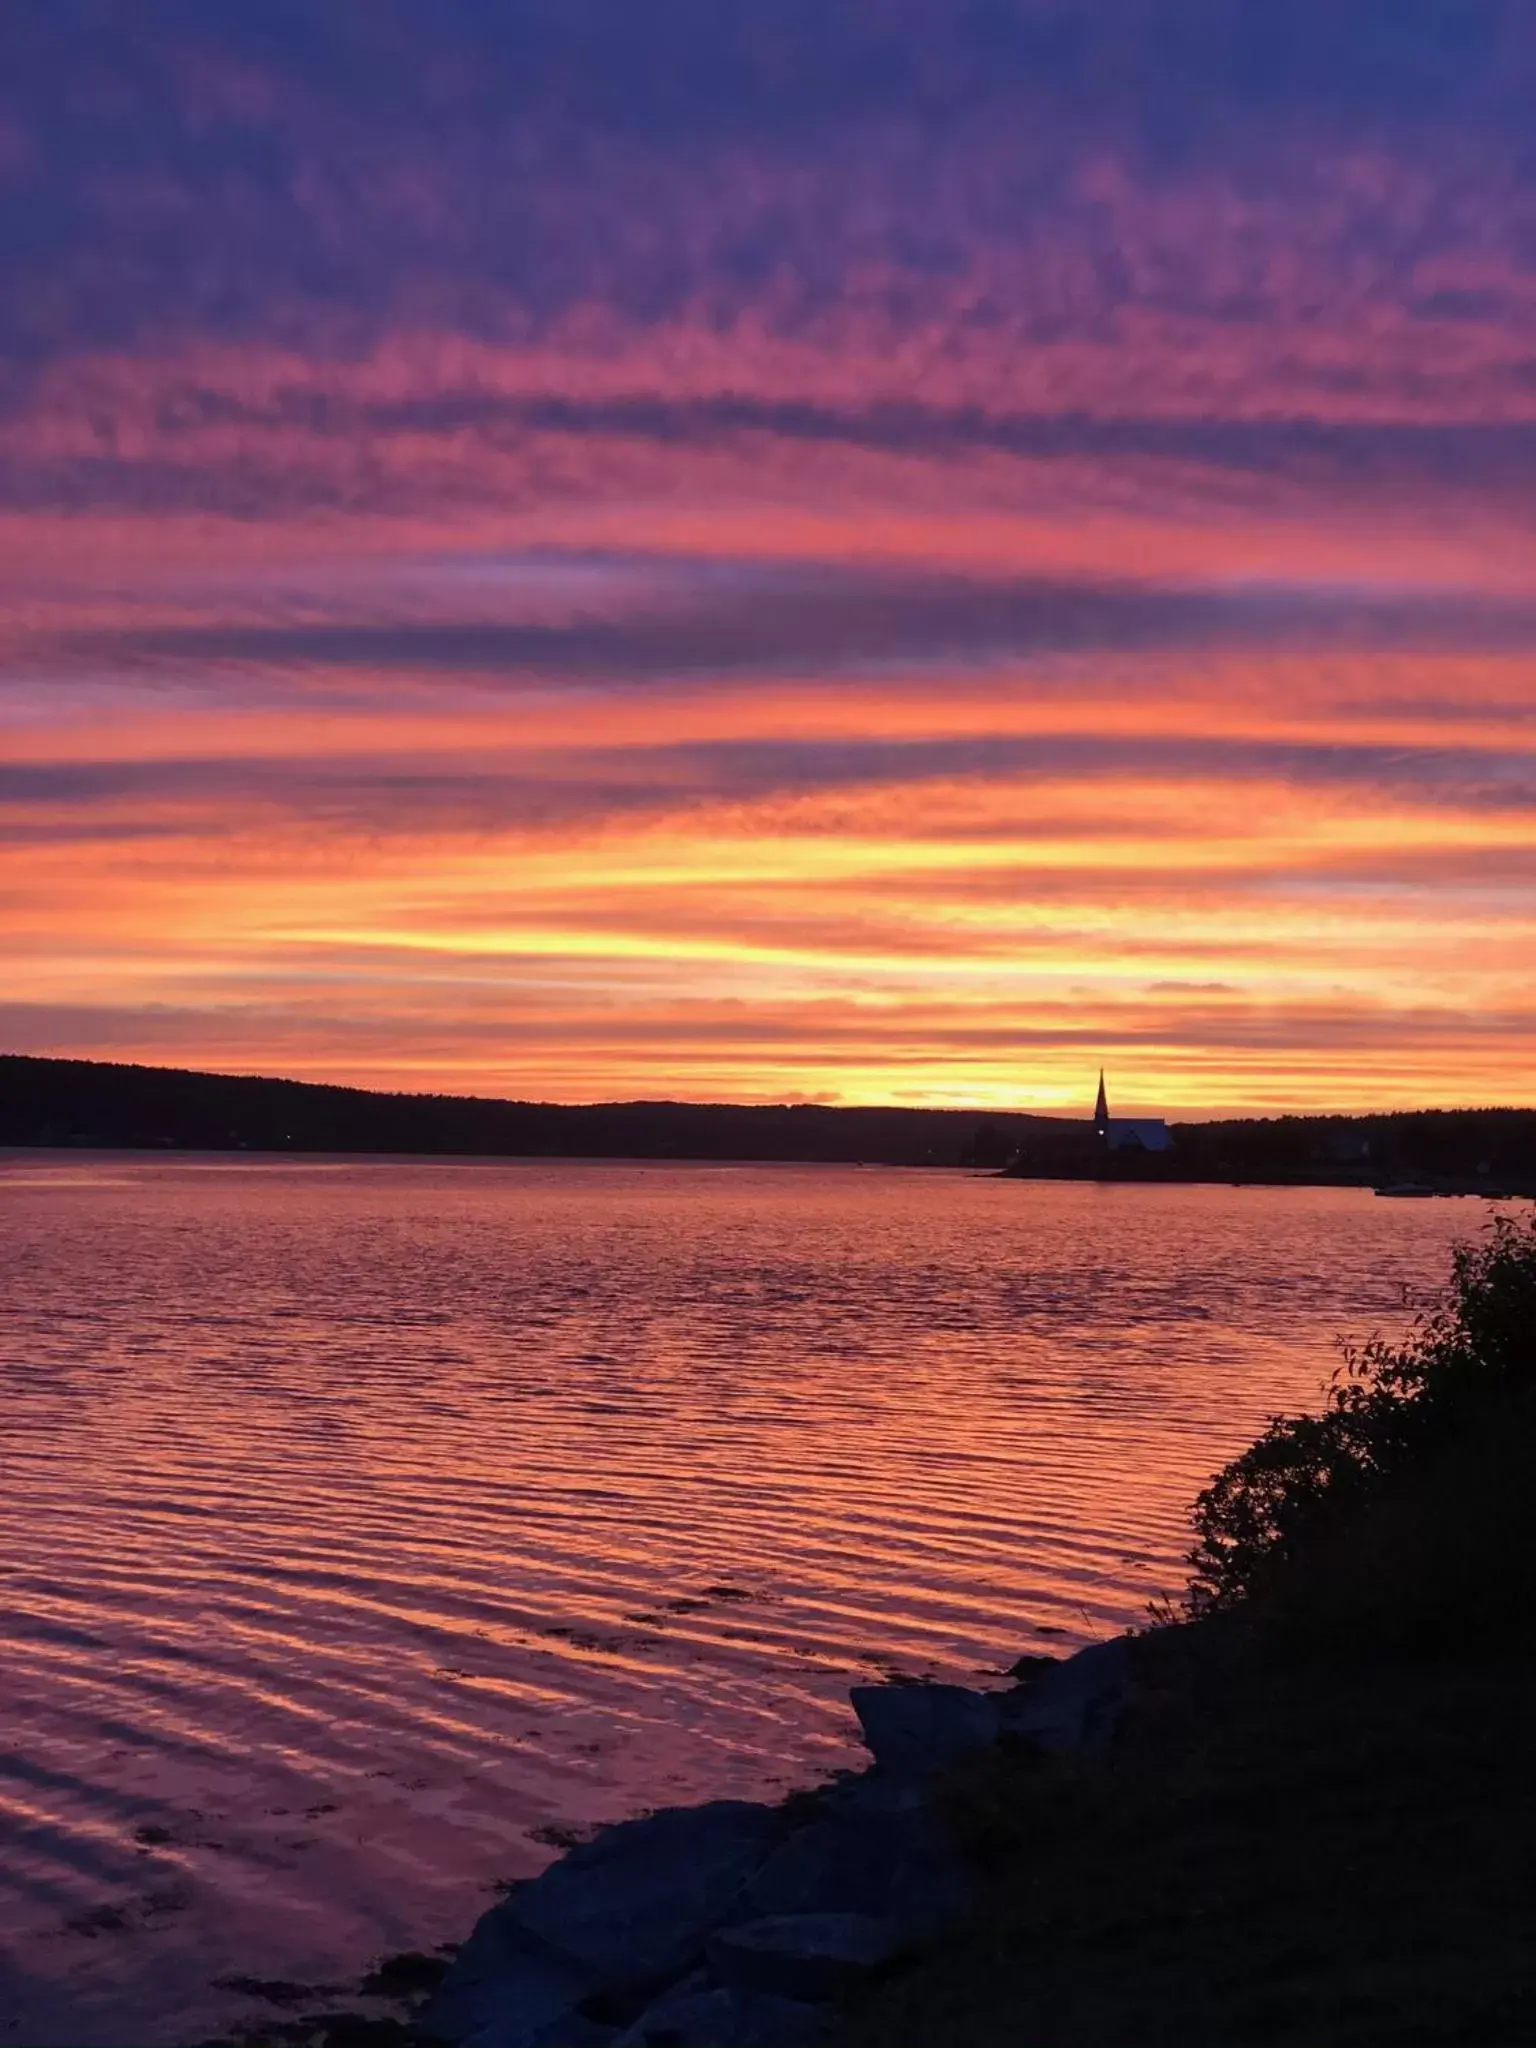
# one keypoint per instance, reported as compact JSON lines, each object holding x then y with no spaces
{"x":1279,"y":1857}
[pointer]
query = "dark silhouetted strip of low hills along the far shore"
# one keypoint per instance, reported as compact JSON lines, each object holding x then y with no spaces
{"x":93,"y":1105}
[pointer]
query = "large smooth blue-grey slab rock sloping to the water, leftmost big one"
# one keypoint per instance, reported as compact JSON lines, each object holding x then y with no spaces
{"x":634,"y":1906}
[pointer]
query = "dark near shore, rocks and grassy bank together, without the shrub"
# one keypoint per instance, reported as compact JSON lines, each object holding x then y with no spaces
{"x":1179,"y":1814}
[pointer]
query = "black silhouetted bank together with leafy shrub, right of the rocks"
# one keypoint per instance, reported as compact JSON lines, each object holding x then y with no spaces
{"x":1320,"y":1826}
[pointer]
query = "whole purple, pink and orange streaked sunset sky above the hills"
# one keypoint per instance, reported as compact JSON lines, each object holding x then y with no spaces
{"x":753,"y":550}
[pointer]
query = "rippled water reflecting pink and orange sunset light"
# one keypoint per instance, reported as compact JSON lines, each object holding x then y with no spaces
{"x":366,"y":1521}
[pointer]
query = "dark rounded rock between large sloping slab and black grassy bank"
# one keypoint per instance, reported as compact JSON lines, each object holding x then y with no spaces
{"x":896,"y":1865}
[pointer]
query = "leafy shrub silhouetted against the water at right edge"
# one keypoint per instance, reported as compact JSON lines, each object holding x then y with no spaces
{"x":1424,"y":1453}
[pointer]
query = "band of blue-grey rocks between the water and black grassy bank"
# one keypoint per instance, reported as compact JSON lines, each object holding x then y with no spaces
{"x":744,"y":1926}
